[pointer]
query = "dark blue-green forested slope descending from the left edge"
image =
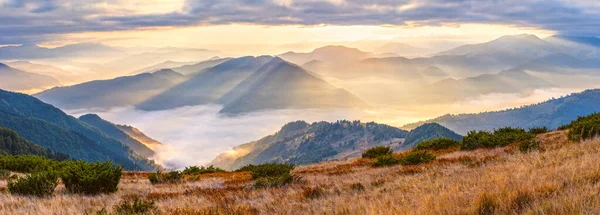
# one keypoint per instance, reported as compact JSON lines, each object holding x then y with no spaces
{"x":51,"y":128}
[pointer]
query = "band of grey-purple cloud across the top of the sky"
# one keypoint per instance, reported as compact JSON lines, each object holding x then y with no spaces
{"x":21,"y":21}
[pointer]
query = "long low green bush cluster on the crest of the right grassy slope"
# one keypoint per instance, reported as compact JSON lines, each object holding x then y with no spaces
{"x":498,"y":138}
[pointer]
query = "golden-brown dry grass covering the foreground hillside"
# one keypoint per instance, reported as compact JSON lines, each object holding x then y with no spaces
{"x":560,"y":178}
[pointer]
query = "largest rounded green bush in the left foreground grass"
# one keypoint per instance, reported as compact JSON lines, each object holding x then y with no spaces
{"x":91,"y":178}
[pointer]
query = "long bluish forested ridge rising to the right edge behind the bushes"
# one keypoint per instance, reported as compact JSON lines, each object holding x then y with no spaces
{"x":552,"y":114}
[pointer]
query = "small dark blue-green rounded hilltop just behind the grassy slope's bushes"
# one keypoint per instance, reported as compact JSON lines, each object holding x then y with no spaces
{"x":429,"y":131}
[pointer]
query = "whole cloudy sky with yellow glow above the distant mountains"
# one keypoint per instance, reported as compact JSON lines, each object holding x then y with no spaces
{"x":255,"y":23}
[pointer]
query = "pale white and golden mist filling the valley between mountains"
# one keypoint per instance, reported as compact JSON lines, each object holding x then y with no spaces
{"x":195,"y":135}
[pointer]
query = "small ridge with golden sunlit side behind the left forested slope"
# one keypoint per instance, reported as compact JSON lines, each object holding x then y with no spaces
{"x":116,"y":133}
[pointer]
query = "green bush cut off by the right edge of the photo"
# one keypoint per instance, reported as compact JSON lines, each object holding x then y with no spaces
{"x":584,"y":127}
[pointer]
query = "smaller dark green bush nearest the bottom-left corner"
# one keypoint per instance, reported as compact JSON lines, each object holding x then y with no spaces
{"x":39,"y":184}
